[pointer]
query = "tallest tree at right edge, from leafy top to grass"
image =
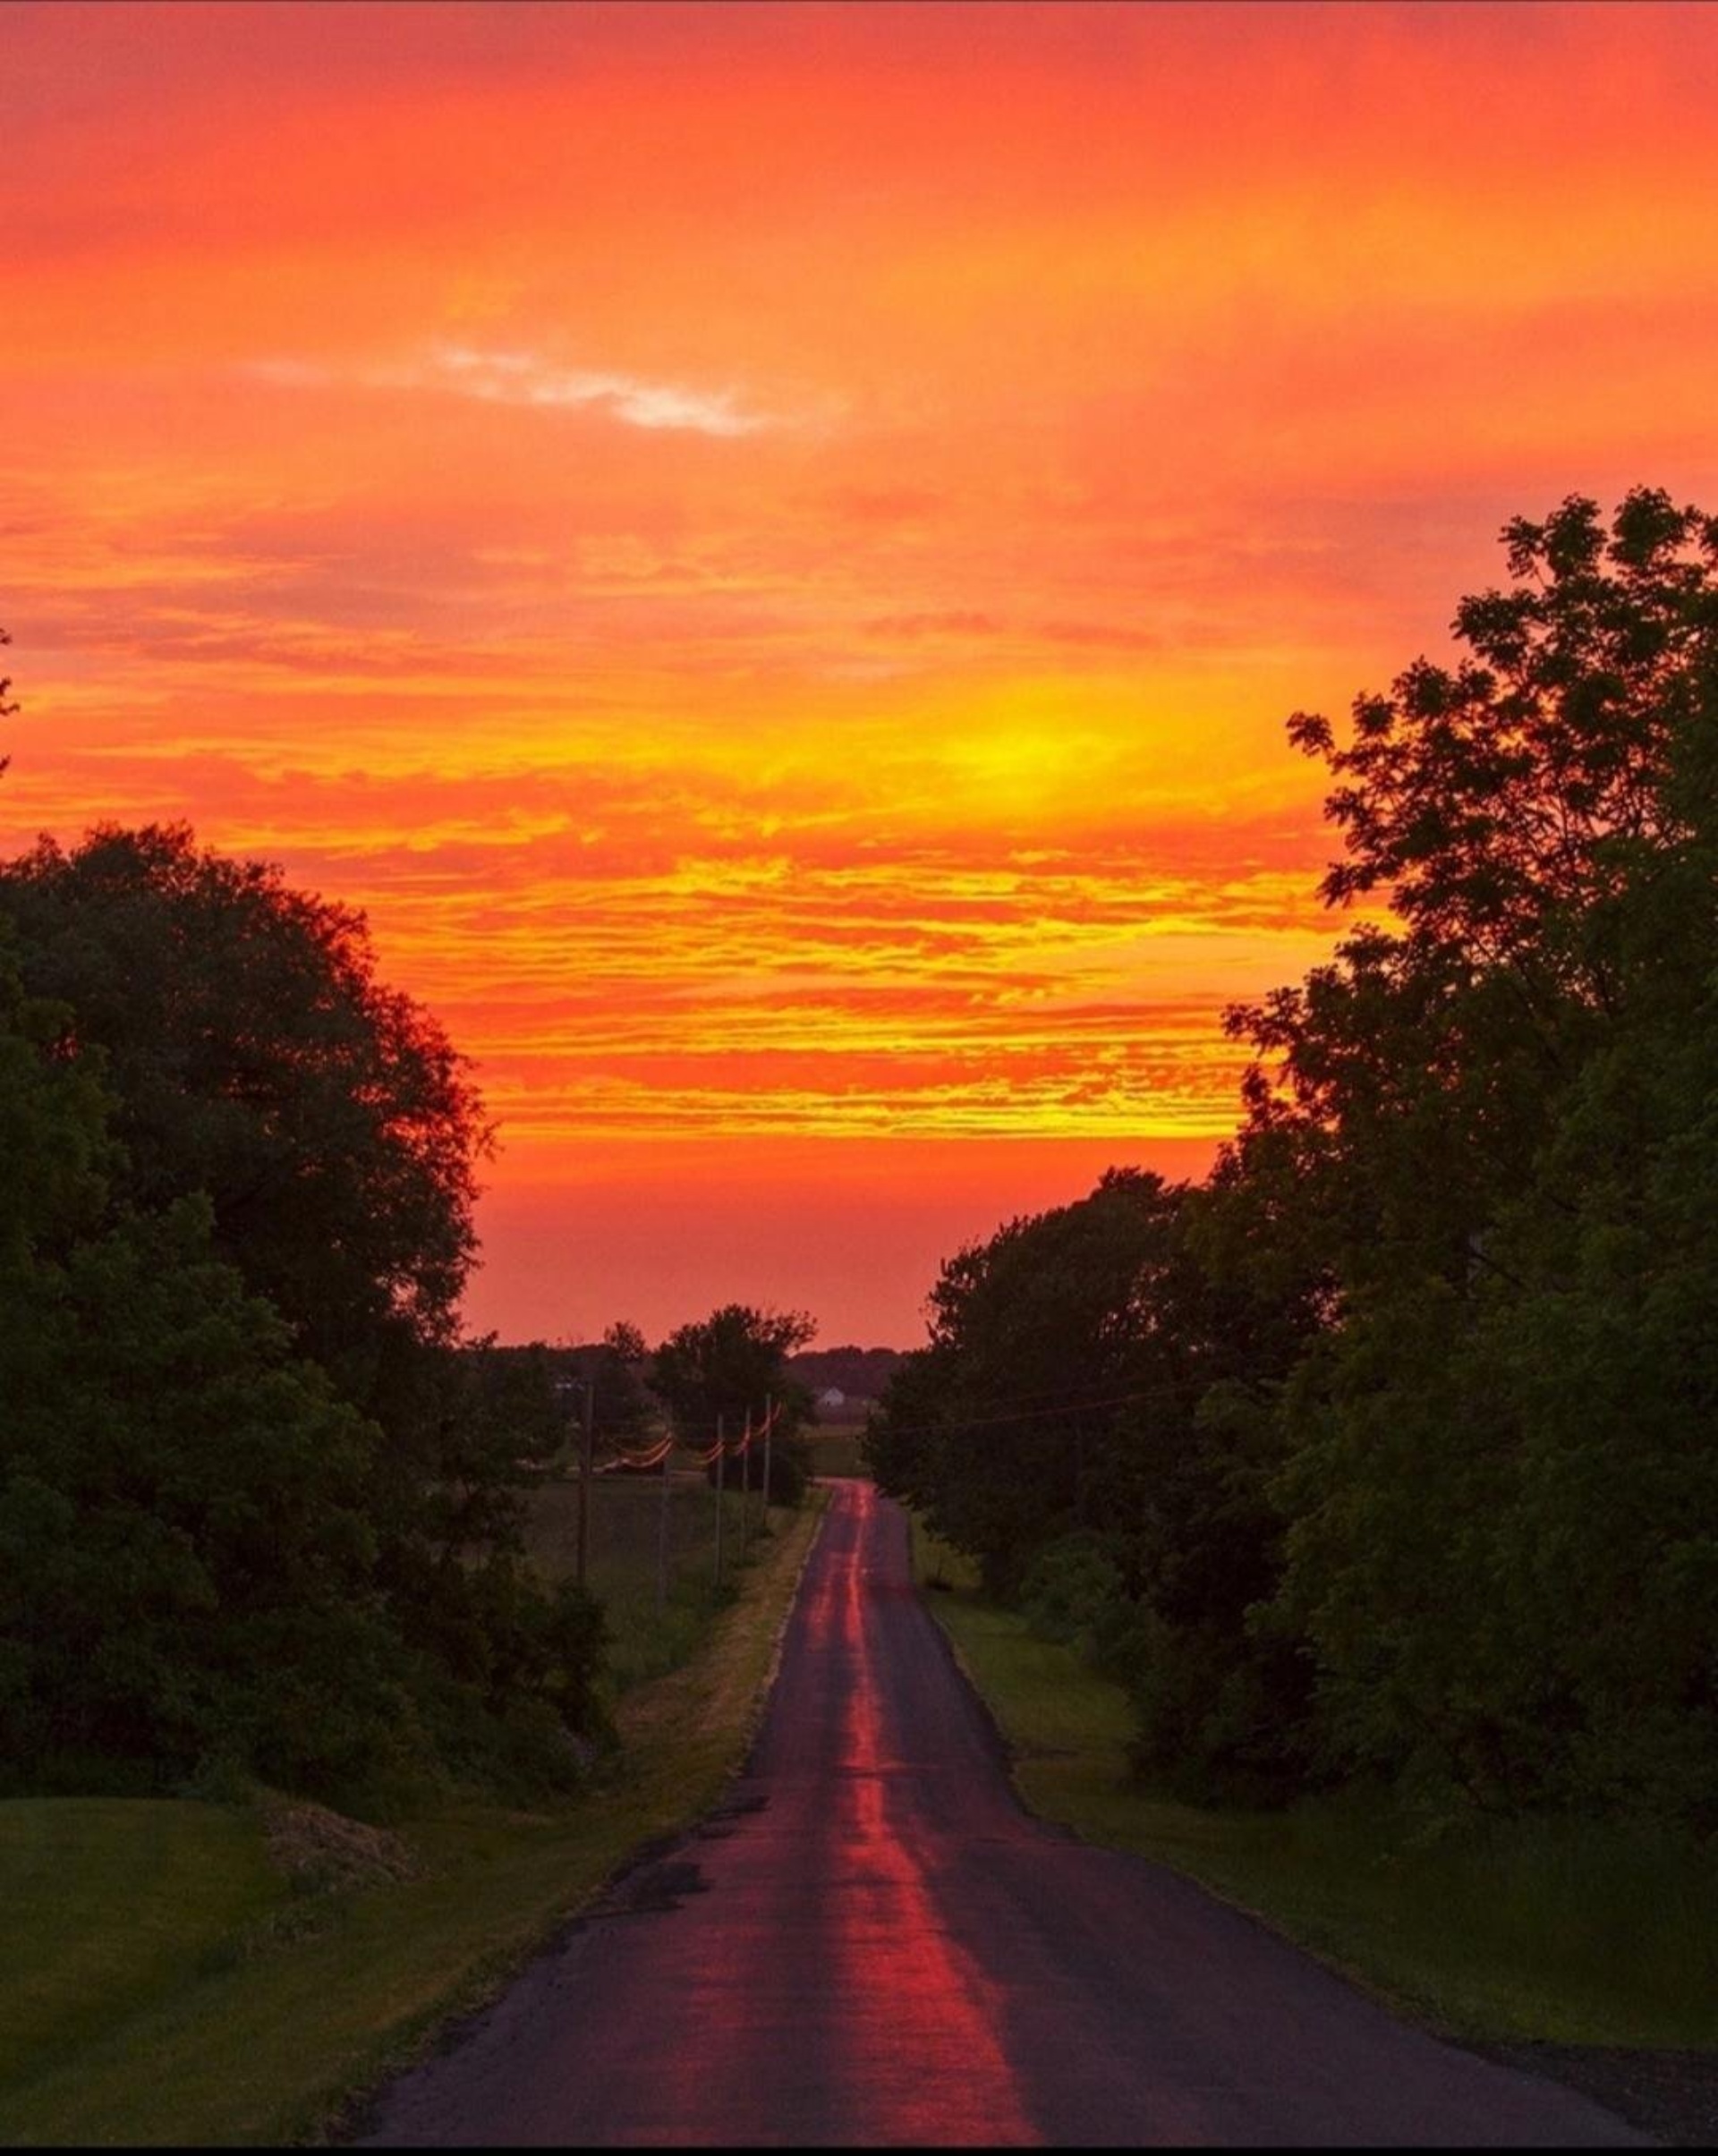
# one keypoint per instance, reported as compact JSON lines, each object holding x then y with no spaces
{"x":1506,"y":1120}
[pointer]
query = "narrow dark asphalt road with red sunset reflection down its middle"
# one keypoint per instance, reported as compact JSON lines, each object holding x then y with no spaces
{"x":874,"y":1946}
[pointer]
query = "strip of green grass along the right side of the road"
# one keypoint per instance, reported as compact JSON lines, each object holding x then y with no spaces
{"x":1551,"y":1931}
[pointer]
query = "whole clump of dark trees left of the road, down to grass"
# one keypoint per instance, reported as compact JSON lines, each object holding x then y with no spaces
{"x":253,"y":1502}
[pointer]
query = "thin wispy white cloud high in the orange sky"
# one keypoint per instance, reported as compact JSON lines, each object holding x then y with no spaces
{"x":521,"y":378}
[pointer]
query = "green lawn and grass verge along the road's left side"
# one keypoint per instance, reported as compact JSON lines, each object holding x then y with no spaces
{"x":167,"y":1982}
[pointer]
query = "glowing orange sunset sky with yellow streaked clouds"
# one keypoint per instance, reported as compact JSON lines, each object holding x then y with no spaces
{"x":771,"y":547}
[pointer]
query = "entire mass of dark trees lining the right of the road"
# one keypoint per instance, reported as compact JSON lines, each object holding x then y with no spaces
{"x":1391,"y":1450}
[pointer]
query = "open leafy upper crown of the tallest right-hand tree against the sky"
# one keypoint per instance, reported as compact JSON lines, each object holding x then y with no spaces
{"x":1540,"y":823}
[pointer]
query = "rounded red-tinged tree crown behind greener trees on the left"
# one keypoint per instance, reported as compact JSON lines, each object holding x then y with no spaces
{"x":255,"y":1058}
